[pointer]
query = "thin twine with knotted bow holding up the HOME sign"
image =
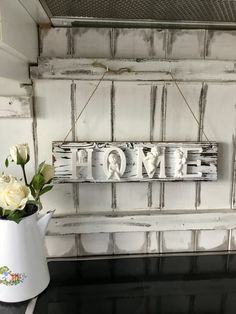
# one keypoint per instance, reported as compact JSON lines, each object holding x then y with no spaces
{"x":120,"y":71}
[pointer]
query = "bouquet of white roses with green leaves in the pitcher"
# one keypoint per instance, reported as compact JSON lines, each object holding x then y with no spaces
{"x":20,"y":198}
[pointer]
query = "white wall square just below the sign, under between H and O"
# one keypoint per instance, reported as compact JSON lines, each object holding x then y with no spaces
{"x":94,"y":197}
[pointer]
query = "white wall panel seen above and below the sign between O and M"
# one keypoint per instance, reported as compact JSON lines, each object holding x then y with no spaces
{"x":131,"y":120}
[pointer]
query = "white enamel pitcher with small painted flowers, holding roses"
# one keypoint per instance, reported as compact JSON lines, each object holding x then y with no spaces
{"x":23,"y":266}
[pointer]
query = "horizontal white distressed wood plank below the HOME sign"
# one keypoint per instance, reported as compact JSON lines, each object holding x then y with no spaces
{"x":221,"y":220}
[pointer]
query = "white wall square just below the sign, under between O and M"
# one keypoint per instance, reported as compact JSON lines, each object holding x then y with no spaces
{"x":131,"y":196}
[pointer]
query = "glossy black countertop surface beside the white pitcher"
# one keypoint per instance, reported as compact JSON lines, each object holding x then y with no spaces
{"x":142,"y":285}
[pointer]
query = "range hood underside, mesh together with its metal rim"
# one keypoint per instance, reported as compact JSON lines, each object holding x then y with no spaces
{"x":212,"y":13}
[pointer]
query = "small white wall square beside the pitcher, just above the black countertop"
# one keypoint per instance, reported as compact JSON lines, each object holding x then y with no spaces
{"x":60,"y":246}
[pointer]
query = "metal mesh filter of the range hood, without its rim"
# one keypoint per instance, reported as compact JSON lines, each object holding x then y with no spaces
{"x":159,"y":10}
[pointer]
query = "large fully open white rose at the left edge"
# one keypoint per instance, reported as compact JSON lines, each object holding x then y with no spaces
{"x":13,"y":195}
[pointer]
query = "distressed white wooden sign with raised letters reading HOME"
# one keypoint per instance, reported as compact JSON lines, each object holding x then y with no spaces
{"x":139,"y":161}
